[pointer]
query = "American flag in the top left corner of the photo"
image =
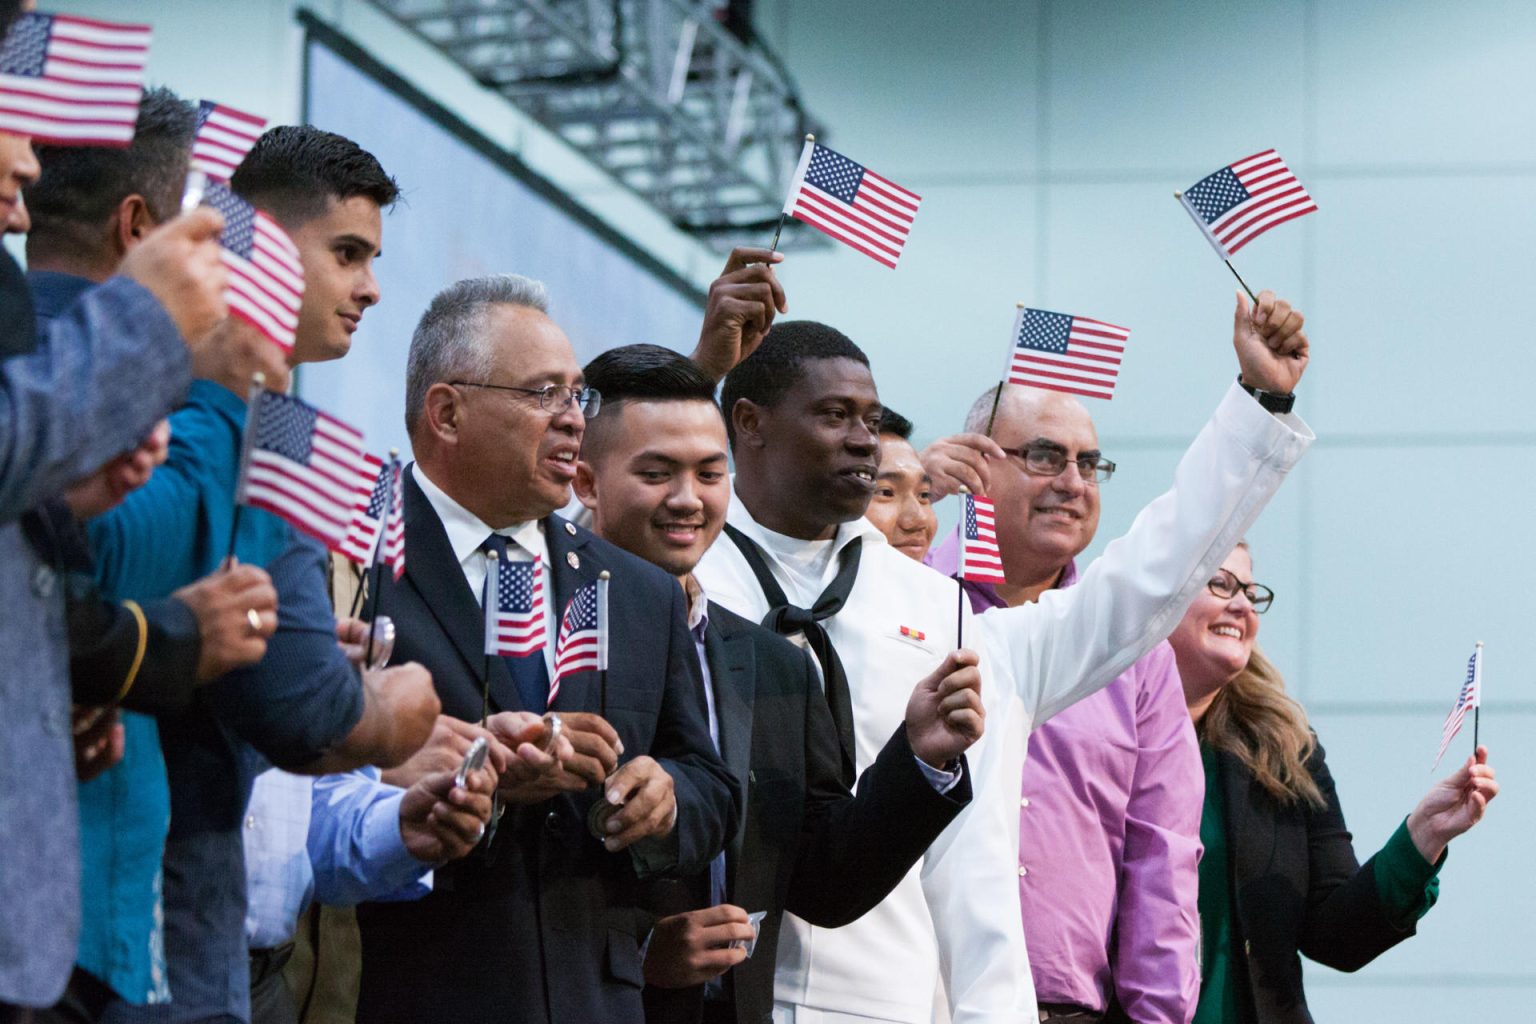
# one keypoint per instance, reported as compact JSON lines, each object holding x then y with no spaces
{"x":73,"y":82}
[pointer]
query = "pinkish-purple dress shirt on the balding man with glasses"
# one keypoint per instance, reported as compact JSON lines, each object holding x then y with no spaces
{"x":1110,"y":841}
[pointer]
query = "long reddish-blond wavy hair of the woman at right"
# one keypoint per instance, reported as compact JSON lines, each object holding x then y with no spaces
{"x":1256,"y":721}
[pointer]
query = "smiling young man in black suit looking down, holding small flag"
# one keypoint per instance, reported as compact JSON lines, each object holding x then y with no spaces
{"x":654,"y":472}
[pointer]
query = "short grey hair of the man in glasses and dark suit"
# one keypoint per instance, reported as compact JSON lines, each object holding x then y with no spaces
{"x":451,"y":343}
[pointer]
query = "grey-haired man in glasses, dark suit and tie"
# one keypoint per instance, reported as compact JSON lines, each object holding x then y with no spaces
{"x":545,"y":922}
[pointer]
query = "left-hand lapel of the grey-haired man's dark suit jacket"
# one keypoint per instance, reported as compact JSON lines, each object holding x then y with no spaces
{"x":435,"y":573}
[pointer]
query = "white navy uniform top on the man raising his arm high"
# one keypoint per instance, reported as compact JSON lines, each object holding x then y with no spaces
{"x":958,"y":913}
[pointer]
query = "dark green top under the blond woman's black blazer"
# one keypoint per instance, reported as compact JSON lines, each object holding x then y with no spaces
{"x":1406,"y":885}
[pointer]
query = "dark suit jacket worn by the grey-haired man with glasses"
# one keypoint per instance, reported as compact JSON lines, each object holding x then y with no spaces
{"x":545,"y":925}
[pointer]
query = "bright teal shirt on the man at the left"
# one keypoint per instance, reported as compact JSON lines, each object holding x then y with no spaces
{"x":168,"y":533}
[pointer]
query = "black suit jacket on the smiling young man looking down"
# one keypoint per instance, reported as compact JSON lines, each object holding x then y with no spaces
{"x":807,"y":845}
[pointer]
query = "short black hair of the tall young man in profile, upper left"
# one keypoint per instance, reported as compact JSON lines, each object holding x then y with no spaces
{"x":294,"y":171}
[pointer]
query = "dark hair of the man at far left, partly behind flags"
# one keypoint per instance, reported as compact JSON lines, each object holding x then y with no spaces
{"x":82,"y":185}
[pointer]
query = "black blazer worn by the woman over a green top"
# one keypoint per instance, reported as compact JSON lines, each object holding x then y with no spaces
{"x":1297,"y":890}
